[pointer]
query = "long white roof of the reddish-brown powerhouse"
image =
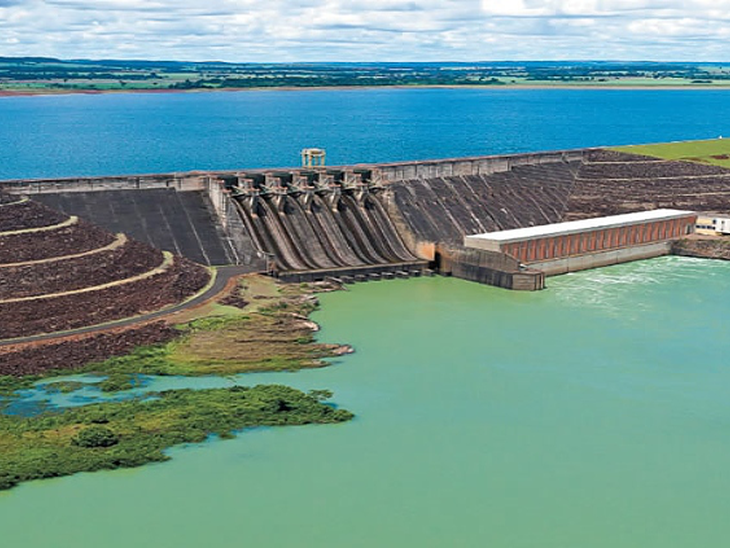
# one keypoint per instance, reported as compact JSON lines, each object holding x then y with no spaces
{"x":584,"y":225}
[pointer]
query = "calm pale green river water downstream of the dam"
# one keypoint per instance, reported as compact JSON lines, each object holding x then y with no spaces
{"x":593,"y":414}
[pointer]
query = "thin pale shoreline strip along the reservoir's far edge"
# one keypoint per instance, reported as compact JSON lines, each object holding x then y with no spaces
{"x":525,"y":87}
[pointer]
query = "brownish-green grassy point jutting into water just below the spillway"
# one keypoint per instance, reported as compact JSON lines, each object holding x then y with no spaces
{"x":271,"y":333}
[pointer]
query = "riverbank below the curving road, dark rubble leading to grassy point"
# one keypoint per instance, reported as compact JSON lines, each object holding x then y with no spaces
{"x":256,"y":325}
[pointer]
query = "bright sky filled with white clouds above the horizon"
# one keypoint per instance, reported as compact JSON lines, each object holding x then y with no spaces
{"x":367,"y":30}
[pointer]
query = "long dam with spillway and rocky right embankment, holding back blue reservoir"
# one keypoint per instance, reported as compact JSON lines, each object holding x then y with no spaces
{"x":374,"y":221}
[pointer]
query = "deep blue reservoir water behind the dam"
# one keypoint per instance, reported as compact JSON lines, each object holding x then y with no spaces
{"x":73,"y":135}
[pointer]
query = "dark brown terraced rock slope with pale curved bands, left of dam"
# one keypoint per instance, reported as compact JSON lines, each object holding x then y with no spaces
{"x":59,"y":272}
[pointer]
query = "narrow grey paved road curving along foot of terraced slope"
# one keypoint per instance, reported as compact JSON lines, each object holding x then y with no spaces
{"x":223,"y":276}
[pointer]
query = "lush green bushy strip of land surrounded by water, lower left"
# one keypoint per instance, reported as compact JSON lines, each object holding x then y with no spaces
{"x":132,"y":433}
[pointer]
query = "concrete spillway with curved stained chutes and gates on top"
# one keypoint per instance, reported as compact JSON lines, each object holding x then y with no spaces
{"x":310,"y":228}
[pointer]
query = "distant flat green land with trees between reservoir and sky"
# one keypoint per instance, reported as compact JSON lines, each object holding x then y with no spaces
{"x":41,"y":75}
